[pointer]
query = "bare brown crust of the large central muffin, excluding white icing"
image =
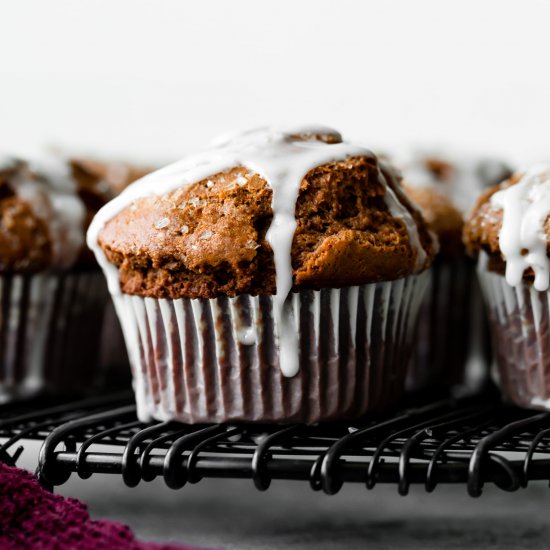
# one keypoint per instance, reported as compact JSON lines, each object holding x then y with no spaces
{"x":209,"y":239}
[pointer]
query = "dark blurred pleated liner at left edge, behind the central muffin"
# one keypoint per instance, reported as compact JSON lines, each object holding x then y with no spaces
{"x":50,"y":326}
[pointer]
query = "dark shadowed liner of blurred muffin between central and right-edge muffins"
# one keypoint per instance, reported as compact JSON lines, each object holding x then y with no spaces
{"x":452,"y":342}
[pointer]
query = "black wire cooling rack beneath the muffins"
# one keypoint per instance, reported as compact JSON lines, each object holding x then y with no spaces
{"x":469,"y":441}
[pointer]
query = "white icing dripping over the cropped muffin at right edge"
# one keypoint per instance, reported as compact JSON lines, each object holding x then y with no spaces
{"x":522,"y":239}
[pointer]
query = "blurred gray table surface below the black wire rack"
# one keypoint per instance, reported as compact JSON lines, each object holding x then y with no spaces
{"x":232,"y":514}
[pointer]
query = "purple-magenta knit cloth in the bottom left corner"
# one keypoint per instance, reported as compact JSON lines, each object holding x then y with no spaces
{"x":31,"y":517}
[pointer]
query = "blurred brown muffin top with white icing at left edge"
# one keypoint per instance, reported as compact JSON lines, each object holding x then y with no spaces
{"x":46,"y":204}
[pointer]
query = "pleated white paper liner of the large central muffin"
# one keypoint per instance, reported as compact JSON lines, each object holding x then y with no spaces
{"x":217,"y":360}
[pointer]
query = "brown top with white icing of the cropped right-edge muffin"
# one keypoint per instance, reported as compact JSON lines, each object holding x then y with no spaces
{"x":510,"y":224}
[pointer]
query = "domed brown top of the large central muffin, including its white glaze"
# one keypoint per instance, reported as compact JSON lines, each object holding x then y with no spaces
{"x":264,"y":212}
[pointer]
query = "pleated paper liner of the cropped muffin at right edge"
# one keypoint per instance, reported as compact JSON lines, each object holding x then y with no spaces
{"x":520,"y":329}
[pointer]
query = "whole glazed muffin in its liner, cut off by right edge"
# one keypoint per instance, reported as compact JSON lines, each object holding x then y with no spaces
{"x":509,"y":233}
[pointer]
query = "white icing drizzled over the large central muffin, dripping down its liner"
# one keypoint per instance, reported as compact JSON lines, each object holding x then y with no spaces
{"x":282,"y":157}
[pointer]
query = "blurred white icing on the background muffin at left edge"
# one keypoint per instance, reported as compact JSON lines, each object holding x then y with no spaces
{"x":46,"y":184}
